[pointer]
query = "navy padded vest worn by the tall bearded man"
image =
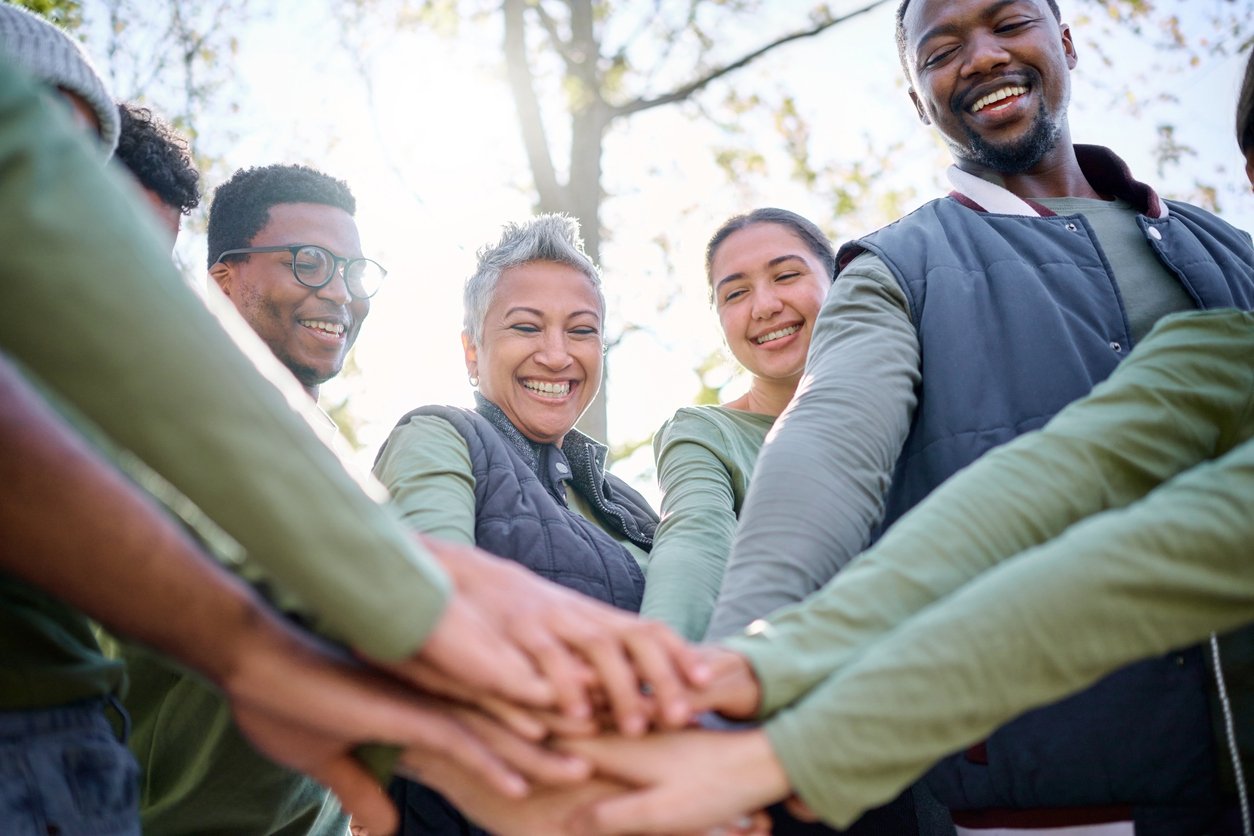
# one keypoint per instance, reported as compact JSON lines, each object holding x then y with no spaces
{"x":1019,"y":315}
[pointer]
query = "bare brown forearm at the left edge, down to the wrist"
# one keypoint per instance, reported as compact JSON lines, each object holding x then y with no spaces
{"x":76,"y":528}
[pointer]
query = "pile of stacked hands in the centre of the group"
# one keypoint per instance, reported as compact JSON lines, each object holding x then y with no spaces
{"x":534,"y":709}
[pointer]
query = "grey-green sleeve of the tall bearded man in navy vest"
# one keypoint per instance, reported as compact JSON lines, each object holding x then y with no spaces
{"x":819,"y":483}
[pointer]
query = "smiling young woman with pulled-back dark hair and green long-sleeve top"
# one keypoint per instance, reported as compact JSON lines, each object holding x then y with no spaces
{"x":769,"y":273}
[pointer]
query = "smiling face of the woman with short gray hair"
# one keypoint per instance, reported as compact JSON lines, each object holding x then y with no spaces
{"x":541,"y":352}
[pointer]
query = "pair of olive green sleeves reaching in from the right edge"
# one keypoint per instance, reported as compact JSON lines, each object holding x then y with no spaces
{"x":1119,"y":532}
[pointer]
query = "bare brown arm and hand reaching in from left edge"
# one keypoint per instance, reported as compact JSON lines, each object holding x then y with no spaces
{"x":71,"y":521}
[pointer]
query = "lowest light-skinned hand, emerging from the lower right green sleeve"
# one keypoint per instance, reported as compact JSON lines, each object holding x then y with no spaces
{"x":689,"y":780}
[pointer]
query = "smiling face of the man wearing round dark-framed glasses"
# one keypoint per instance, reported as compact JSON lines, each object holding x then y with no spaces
{"x":310,"y":330}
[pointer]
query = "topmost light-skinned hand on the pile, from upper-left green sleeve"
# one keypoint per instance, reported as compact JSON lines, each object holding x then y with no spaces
{"x":575,"y":642}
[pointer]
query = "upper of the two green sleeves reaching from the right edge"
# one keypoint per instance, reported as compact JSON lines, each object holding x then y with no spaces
{"x":1182,"y":398}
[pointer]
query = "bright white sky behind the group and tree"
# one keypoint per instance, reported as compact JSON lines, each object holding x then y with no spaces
{"x":437,"y":169}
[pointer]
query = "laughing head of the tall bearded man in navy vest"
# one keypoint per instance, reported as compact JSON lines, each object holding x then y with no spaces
{"x":994,"y":77}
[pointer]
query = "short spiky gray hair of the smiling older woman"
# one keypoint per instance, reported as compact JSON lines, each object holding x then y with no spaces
{"x":545,"y":238}
